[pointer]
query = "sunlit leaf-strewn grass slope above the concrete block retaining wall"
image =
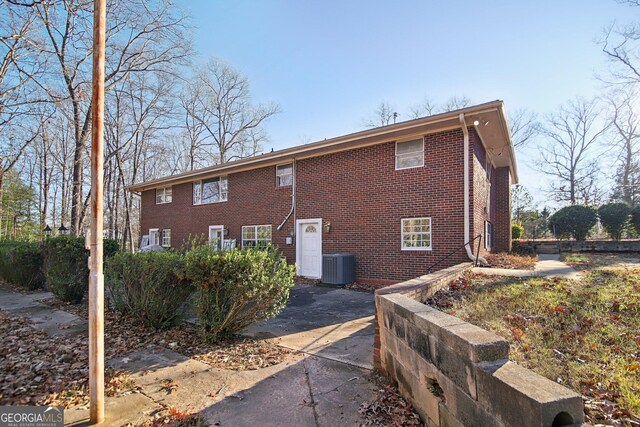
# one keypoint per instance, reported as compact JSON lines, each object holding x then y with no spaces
{"x":582,"y":334}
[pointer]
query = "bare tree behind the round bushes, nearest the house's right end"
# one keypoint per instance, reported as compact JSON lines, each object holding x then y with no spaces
{"x":572,"y":135}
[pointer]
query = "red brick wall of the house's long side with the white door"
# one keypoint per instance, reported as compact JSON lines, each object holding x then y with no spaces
{"x":358,"y":191}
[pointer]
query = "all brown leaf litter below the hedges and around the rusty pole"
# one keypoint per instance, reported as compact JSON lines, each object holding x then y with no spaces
{"x":40,"y":370}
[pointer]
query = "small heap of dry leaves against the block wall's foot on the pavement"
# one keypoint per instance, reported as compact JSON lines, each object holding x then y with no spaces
{"x":389,"y":408}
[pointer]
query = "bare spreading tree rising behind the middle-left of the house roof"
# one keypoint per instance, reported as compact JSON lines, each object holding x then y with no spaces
{"x":222,"y":121}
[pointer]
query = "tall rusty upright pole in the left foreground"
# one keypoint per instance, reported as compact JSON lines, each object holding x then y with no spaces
{"x":96,"y":277}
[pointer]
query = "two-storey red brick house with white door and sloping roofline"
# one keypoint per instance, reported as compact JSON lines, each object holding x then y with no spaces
{"x":397,"y":197}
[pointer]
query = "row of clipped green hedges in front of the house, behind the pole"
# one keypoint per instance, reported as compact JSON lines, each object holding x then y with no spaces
{"x":231,"y":289}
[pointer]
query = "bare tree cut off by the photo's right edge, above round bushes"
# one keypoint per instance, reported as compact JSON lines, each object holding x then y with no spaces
{"x":626,"y":138}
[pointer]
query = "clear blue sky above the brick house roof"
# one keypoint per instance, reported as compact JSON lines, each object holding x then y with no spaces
{"x":330,"y":63}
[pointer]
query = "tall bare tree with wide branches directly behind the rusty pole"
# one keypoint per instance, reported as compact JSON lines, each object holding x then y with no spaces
{"x":142,"y":36}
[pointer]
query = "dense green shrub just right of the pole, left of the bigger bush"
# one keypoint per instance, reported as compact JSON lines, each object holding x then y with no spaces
{"x":150,"y":287}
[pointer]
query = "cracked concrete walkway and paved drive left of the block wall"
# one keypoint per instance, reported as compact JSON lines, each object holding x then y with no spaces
{"x":324,"y":386}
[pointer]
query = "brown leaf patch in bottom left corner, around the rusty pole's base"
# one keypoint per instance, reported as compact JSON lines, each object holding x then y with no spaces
{"x":41,"y":370}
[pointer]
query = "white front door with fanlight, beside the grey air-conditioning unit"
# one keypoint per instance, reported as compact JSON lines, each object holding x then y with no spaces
{"x":309,"y":247}
